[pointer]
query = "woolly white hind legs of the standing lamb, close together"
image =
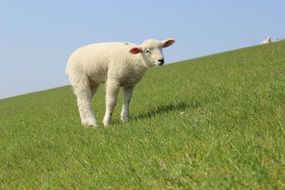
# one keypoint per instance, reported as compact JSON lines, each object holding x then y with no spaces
{"x":84,"y":94}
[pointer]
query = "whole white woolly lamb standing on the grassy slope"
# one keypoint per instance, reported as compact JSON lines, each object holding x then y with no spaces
{"x":117,"y":64}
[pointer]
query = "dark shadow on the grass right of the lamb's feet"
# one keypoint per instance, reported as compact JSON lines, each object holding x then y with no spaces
{"x":166,"y":108}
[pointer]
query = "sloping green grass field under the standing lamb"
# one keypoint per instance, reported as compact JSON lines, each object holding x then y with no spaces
{"x":216,"y":122}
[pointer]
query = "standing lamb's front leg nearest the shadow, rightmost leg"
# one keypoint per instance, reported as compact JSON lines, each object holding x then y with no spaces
{"x":127,"y":93}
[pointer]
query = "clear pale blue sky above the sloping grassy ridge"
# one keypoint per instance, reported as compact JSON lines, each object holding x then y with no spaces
{"x":36,"y":37}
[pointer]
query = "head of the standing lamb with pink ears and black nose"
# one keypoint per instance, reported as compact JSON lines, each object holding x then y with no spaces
{"x":151,"y":51}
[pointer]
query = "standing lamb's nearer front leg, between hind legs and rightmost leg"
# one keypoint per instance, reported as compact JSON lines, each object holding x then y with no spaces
{"x":112,"y":89}
